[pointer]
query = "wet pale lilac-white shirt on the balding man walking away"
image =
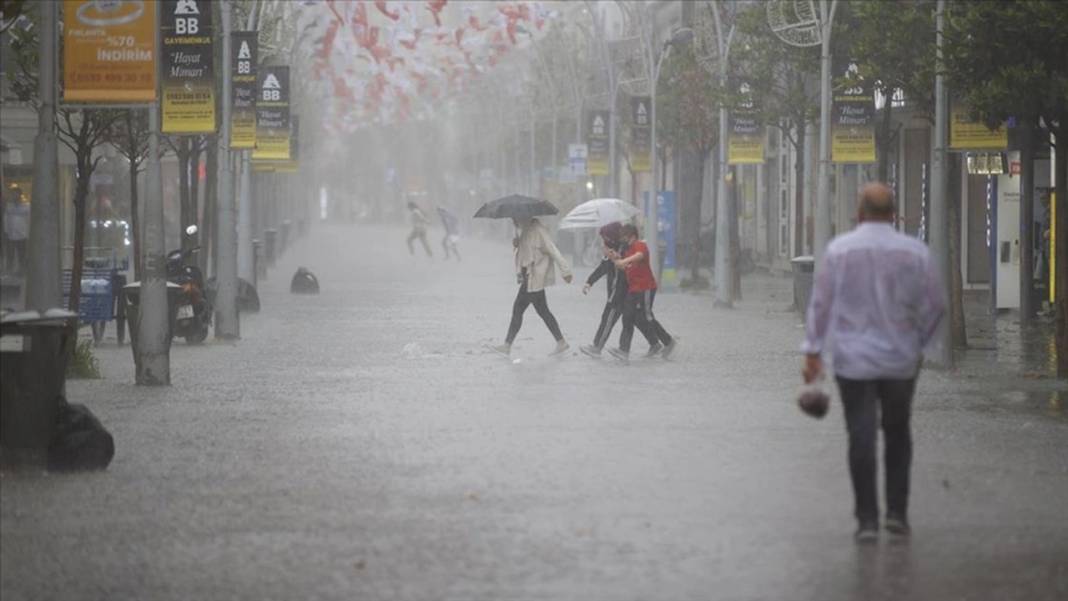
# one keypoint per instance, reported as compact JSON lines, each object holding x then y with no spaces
{"x":877,"y":297}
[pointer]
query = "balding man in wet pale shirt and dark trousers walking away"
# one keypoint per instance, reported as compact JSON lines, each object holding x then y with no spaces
{"x":878,"y":299}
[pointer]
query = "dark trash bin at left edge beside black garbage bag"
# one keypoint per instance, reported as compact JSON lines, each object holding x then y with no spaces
{"x":34,"y":360}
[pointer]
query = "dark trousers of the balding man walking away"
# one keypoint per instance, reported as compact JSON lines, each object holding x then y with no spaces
{"x":865,"y":401}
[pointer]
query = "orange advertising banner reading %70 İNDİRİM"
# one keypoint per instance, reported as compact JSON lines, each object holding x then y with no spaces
{"x":109,"y":52}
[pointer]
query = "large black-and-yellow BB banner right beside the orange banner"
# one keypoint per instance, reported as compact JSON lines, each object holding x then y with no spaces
{"x":189,"y":71}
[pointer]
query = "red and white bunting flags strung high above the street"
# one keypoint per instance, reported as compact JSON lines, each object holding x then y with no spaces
{"x":382,"y":65}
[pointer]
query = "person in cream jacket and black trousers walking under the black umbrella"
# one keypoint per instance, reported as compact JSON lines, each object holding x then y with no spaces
{"x":537,"y":260}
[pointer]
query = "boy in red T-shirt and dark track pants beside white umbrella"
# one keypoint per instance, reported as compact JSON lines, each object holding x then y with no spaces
{"x":641,"y":292}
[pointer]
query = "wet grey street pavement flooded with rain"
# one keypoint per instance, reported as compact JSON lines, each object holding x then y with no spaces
{"x":365,"y":445}
